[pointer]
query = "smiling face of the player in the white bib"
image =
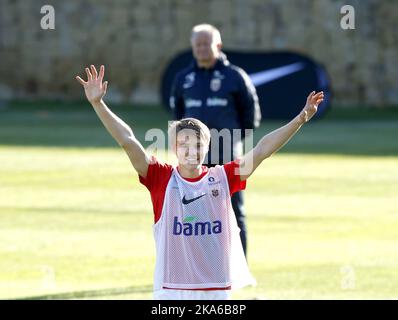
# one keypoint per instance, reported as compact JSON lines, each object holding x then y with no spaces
{"x":191,"y":149}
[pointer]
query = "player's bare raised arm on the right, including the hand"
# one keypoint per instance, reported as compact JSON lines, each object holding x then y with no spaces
{"x":275,"y":140}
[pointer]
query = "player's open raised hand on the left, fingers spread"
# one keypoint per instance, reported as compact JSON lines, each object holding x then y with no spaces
{"x":94,"y":88}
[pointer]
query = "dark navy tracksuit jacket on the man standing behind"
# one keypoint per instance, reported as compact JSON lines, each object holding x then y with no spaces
{"x":222,"y":97}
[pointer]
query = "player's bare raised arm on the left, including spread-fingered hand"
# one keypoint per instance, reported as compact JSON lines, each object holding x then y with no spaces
{"x":95,"y":90}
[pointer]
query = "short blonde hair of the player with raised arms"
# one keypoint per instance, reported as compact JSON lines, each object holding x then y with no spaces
{"x":201,"y":130}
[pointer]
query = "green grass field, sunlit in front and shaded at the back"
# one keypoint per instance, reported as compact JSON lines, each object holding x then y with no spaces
{"x":75,"y":223}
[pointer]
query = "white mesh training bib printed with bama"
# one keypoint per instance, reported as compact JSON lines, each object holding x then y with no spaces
{"x":197,"y":237}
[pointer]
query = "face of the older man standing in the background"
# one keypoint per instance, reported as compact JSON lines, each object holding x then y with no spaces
{"x":204,"y":49}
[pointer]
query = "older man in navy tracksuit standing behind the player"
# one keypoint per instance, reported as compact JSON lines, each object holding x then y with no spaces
{"x":220,"y":95}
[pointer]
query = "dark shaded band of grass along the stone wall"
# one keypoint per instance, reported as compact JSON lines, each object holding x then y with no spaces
{"x":363,"y":132}
